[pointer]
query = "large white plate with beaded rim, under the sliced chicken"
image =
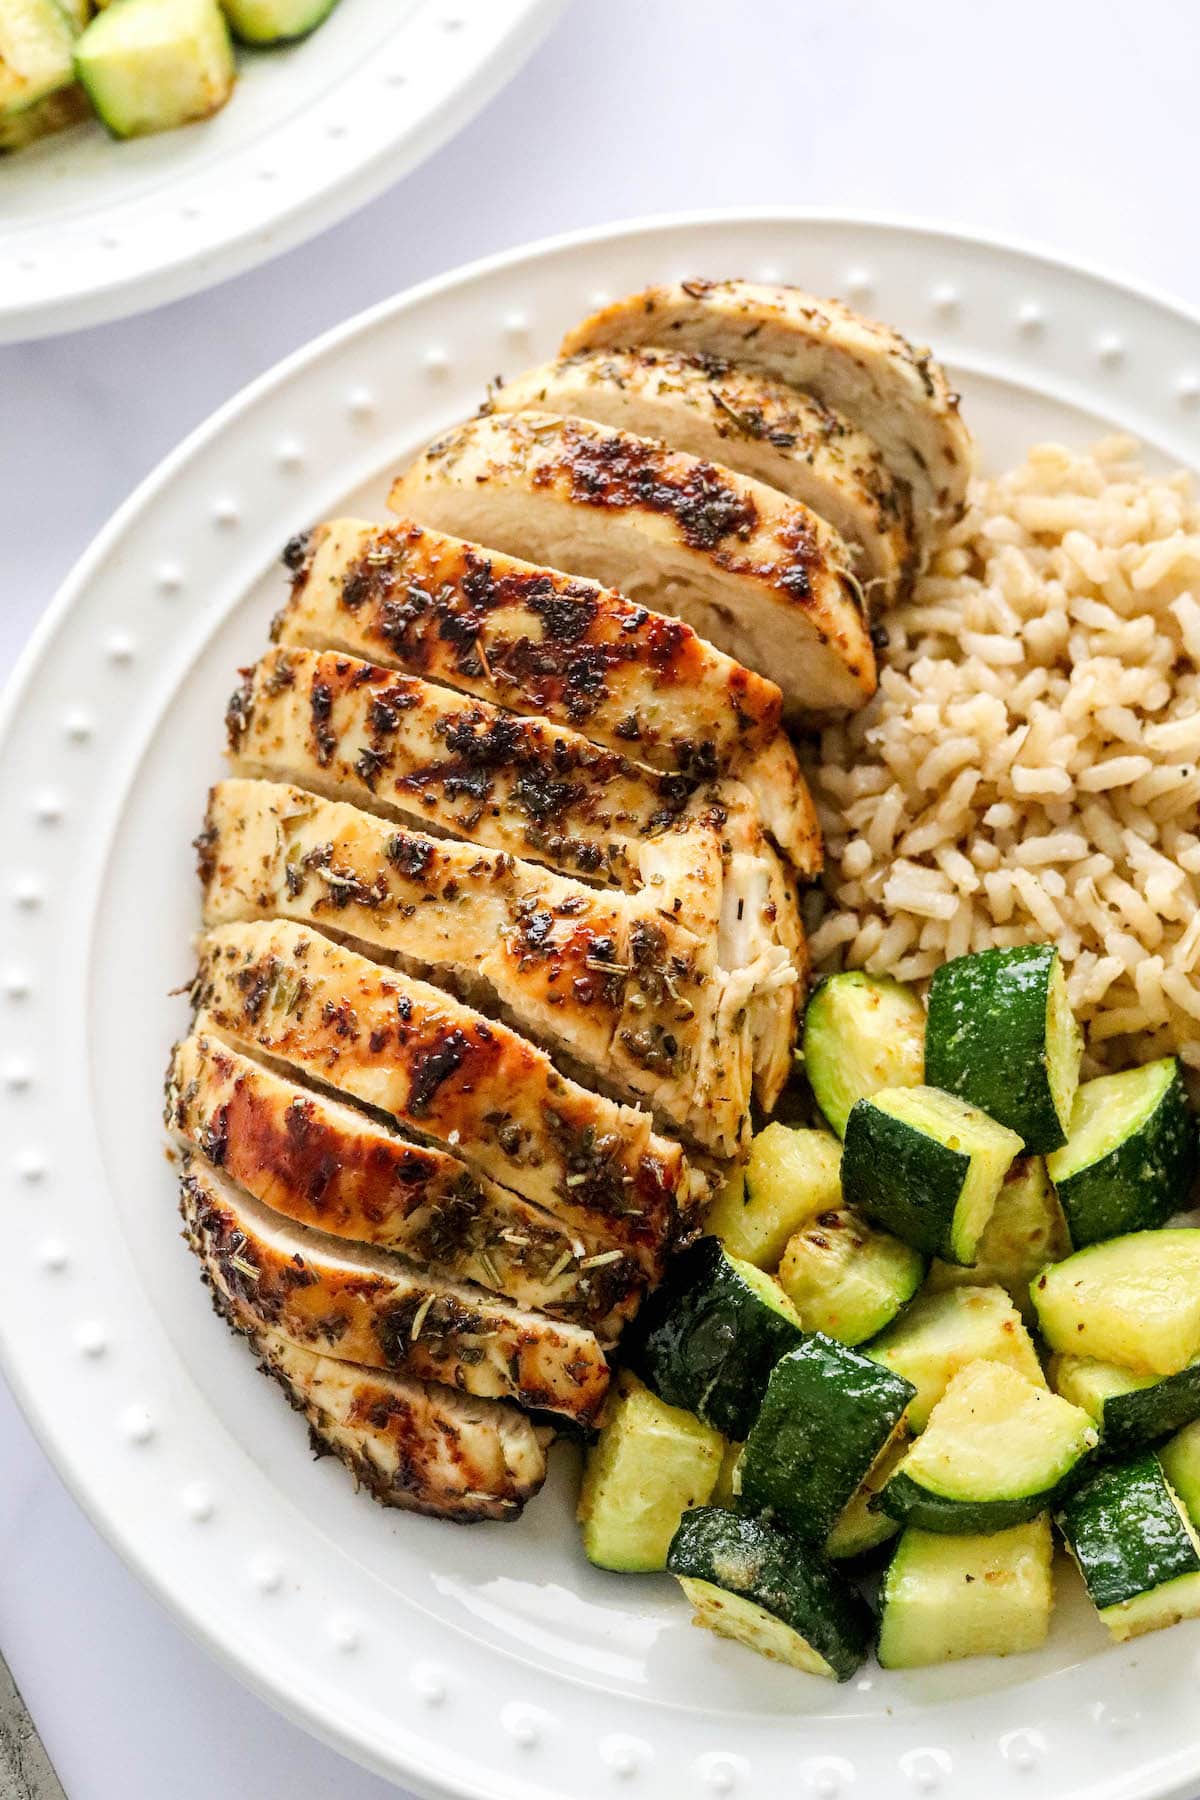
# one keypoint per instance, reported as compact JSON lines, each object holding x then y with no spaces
{"x":488,"y":1662}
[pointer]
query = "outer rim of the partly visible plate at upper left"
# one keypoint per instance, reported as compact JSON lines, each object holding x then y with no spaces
{"x":273,"y":233}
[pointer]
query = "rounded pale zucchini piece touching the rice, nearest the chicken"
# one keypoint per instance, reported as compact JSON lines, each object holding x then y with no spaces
{"x":861,"y":1034}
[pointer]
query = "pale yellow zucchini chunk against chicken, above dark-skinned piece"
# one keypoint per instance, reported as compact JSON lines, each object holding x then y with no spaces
{"x":791,"y":1176}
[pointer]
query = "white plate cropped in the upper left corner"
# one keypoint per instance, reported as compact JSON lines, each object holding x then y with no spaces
{"x":96,"y":229}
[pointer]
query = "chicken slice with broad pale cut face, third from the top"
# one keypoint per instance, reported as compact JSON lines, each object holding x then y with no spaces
{"x":755,"y":573}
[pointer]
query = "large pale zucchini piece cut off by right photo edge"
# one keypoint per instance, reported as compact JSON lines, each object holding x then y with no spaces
{"x":1131,"y":1300}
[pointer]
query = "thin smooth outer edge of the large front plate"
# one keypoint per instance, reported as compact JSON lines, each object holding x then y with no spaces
{"x":425,"y":1777}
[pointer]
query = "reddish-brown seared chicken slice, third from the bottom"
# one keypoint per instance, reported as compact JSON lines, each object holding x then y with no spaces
{"x":339,"y":1171}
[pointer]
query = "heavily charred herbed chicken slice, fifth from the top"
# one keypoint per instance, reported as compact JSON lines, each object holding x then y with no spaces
{"x":436,"y":760}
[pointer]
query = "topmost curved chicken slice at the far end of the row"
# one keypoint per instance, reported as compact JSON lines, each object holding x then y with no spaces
{"x":863,"y":370}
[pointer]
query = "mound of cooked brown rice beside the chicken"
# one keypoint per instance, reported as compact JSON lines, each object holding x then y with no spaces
{"x":1030,"y":764}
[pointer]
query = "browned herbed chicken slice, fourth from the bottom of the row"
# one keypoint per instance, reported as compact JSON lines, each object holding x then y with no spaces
{"x":454,"y":1077}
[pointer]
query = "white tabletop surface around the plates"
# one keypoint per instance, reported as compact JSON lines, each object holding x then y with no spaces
{"x":1057,"y":121}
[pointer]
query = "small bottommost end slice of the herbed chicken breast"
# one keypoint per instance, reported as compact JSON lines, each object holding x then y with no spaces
{"x":407,"y":1443}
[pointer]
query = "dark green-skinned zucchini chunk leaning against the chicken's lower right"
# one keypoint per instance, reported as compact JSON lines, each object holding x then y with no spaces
{"x":710,"y":1336}
